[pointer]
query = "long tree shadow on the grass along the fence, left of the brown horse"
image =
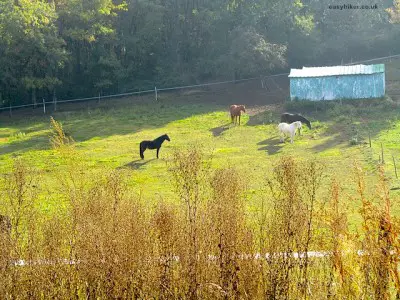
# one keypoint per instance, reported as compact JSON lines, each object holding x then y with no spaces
{"x":125,"y":116}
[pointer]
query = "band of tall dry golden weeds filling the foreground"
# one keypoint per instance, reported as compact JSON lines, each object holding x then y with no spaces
{"x":107,"y":244}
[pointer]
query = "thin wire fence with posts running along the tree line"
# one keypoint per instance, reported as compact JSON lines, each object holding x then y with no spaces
{"x":156,"y":90}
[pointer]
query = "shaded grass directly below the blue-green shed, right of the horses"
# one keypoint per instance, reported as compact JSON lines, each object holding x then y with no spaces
{"x":347,"y":119}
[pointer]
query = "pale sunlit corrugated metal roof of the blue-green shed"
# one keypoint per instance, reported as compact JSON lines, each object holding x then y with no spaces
{"x":337,"y":70}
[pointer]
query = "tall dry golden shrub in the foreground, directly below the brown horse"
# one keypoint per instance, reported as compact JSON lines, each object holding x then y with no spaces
{"x":229,"y":238}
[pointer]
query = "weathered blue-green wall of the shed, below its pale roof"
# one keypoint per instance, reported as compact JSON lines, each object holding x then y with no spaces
{"x":338,"y":87}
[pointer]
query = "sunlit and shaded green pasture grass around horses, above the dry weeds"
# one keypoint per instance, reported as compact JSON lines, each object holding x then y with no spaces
{"x":109,"y":136}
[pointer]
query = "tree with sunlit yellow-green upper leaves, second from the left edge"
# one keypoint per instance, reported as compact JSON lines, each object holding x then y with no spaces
{"x":89,"y":29}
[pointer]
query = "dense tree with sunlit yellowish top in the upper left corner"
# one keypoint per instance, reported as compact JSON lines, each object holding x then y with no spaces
{"x":31,"y":51}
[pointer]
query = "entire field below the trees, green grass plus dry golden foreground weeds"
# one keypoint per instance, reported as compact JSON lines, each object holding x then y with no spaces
{"x":119,"y":216}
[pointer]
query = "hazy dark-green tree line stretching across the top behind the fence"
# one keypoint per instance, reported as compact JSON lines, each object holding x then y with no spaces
{"x":78,"y":48}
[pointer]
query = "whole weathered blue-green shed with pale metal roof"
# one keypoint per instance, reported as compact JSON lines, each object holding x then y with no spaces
{"x":338,"y":82}
